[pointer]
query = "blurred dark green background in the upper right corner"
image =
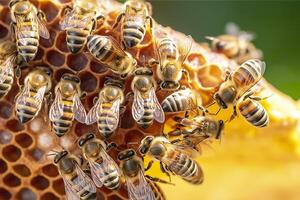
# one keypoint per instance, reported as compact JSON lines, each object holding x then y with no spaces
{"x":276,"y":24}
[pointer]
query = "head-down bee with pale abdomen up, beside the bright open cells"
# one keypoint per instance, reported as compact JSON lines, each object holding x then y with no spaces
{"x":171,"y":57}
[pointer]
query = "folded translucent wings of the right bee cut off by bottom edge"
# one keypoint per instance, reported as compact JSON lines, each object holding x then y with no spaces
{"x":139,"y":189}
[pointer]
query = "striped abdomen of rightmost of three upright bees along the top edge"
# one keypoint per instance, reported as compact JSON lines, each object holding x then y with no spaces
{"x":133,"y":33}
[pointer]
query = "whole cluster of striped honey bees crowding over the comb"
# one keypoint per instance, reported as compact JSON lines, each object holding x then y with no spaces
{"x":136,"y":82}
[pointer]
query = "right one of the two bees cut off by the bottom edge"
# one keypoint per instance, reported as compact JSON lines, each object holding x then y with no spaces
{"x":133,"y":170}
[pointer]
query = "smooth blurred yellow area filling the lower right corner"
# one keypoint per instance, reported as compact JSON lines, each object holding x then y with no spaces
{"x":249,"y":163}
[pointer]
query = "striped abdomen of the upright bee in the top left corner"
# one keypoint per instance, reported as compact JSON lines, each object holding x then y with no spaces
{"x":27,"y":40}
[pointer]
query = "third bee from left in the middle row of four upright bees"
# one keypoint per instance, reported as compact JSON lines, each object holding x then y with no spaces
{"x":106,"y":109}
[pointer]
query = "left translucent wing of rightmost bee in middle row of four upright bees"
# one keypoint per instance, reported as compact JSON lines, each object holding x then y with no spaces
{"x":137,"y":105}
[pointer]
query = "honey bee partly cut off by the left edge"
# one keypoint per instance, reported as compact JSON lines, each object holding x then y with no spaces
{"x":8,"y":58}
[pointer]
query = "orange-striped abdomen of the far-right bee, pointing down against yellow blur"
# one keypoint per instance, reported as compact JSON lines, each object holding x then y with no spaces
{"x":254,"y":113}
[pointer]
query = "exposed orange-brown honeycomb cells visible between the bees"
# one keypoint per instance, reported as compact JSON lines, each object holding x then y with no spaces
{"x":26,"y":172}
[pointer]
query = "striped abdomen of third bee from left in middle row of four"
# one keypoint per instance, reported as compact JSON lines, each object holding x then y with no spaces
{"x":107,"y":120}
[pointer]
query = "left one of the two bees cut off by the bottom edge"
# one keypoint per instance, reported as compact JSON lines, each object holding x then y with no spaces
{"x":77,"y":184}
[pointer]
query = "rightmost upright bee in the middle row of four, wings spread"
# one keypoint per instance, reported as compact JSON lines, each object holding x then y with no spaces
{"x":146,"y":106}
